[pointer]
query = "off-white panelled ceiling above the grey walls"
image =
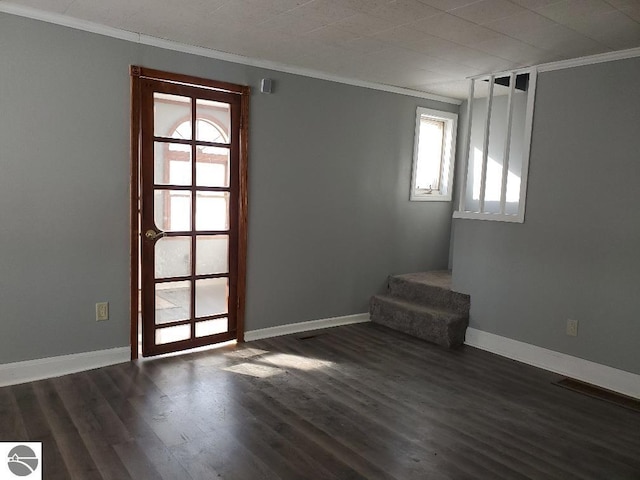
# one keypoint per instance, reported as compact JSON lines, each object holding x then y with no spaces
{"x":425,"y":45}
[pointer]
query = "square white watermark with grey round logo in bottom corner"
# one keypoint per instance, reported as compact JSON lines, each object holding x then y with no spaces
{"x":20,"y":460}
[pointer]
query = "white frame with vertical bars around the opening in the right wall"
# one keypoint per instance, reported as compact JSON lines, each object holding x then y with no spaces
{"x":502,"y":216}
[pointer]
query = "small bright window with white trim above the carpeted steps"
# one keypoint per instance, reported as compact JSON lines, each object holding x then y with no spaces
{"x":433,"y":155}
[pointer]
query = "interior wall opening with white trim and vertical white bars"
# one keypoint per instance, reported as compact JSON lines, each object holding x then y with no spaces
{"x":498,"y":138}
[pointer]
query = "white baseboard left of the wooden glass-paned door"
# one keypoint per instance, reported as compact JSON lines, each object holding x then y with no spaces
{"x":41,"y":368}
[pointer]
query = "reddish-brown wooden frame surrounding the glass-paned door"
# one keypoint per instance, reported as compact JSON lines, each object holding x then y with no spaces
{"x":138,"y":73}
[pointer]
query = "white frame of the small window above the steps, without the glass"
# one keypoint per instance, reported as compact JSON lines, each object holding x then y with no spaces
{"x":447,"y":161}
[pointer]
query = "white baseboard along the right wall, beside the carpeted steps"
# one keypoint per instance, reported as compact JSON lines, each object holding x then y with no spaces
{"x":620,"y":381}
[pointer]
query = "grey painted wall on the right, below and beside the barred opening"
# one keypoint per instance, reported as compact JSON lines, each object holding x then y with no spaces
{"x":576,"y":255}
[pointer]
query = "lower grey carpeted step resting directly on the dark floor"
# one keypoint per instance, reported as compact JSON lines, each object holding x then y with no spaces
{"x":436,"y":325}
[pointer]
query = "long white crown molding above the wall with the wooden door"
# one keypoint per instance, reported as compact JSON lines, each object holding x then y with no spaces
{"x":78,"y":24}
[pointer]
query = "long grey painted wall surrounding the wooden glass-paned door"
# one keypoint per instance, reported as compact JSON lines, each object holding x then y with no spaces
{"x":329,"y":175}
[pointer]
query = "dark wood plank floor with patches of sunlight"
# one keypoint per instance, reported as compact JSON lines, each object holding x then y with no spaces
{"x":355,"y":402}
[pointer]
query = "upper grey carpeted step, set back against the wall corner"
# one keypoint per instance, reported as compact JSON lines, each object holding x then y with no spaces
{"x":429,"y":288}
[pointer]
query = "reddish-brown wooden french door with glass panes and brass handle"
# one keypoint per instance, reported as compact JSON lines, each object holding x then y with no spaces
{"x":192,"y":218}
